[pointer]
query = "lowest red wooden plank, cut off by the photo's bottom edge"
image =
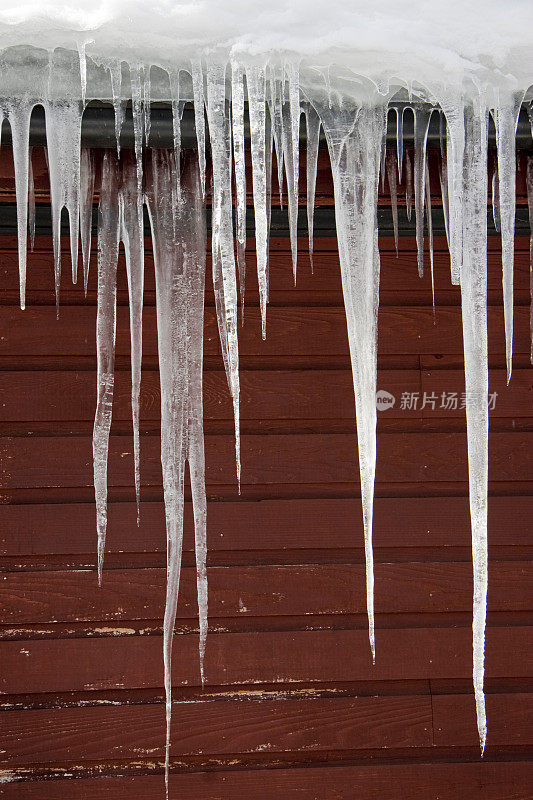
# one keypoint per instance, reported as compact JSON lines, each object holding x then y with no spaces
{"x":474,"y":781}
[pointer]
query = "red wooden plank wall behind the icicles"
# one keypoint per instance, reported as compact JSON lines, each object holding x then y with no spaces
{"x":292,"y":705}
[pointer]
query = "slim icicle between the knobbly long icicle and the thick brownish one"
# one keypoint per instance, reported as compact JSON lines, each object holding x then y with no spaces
{"x":131,"y":234}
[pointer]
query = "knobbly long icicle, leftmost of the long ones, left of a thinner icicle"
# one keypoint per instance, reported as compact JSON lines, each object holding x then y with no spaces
{"x":108,"y":238}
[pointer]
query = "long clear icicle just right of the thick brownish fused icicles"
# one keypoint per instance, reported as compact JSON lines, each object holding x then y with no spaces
{"x":224,"y":275}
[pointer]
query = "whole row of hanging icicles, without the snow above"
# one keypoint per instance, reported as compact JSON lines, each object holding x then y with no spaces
{"x":173,"y":186}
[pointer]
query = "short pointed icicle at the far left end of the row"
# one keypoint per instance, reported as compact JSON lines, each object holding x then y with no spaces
{"x":18,"y":112}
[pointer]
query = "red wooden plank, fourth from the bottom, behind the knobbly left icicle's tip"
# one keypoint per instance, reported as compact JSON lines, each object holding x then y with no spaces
{"x":71,"y":596}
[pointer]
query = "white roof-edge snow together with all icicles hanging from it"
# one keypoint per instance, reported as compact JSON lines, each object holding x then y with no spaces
{"x":260,"y":68}
